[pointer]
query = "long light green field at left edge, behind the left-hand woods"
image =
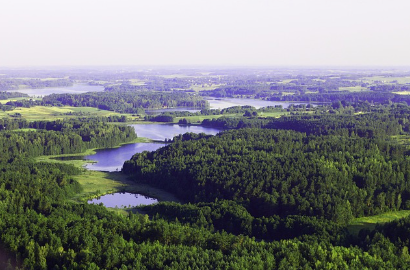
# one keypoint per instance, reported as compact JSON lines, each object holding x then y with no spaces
{"x":53,"y":113}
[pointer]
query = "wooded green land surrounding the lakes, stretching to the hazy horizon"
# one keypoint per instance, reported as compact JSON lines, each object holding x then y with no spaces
{"x":278,"y":189}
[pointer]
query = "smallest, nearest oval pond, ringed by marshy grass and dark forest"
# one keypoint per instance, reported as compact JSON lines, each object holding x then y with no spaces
{"x":123,"y":199}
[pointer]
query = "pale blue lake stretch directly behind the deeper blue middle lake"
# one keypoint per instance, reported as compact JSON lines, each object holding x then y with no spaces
{"x":168,"y":131}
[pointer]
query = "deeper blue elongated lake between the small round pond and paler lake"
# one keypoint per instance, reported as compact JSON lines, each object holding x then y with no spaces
{"x":112,"y":159}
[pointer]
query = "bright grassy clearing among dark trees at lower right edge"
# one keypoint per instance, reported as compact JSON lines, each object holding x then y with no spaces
{"x":370,"y":222}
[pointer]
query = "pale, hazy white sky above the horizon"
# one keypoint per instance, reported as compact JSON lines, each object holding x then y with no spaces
{"x":204,"y":32}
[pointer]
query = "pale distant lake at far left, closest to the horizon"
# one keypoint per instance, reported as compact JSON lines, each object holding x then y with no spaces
{"x":75,"y":89}
